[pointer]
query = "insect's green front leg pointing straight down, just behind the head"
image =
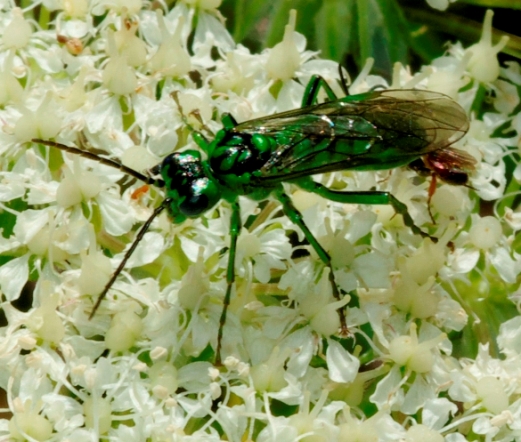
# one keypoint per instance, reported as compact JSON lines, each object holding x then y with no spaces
{"x":235,"y":228}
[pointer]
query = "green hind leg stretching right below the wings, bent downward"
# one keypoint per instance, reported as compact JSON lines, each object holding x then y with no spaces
{"x":366,"y":197}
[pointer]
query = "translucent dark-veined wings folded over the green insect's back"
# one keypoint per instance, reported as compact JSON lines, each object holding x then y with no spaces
{"x":376,"y":130}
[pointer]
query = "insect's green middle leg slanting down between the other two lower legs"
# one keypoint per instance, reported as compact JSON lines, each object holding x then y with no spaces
{"x":294,"y":215}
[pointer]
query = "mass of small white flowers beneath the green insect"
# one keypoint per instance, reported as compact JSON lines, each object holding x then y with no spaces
{"x":100,"y":76}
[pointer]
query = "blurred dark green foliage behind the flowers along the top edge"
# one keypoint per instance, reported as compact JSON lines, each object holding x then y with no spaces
{"x":350,"y":31}
